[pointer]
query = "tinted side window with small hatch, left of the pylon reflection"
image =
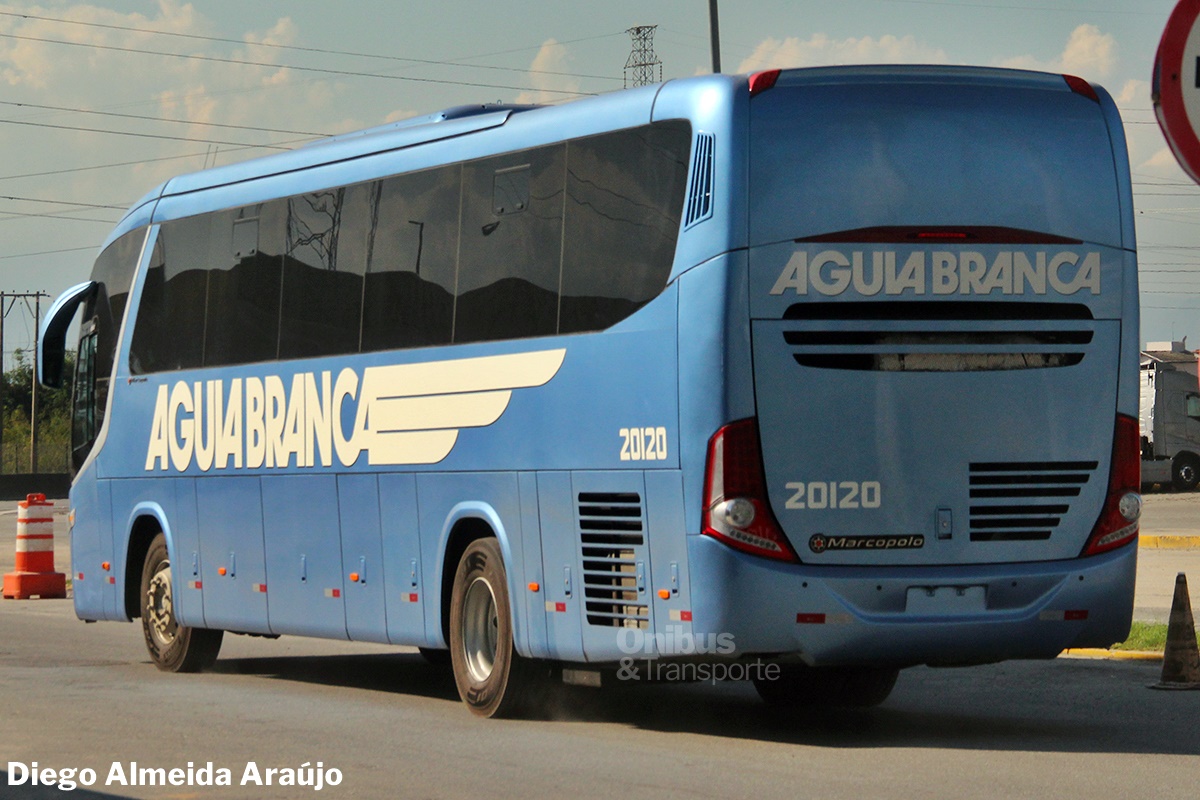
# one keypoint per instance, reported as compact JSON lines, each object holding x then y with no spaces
{"x":245,"y":273}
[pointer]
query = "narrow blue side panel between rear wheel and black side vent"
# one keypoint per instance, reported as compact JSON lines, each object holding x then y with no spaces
{"x":560,"y":555}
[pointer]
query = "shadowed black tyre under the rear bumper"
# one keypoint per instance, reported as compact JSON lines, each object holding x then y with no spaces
{"x":799,"y":687}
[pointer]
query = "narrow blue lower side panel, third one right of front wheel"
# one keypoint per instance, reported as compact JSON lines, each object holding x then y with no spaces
{"x":358,"y":507}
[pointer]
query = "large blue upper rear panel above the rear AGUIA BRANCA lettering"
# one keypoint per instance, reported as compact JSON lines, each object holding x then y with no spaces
{"x":841,"y":158}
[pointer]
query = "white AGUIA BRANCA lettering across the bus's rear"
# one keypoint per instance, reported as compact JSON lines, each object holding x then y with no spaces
{"x":941,"y":273}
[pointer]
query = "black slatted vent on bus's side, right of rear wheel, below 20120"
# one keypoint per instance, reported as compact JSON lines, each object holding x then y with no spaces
{"x":613,"y":538}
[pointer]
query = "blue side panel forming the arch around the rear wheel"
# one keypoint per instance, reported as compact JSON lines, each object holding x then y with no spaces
{"x":448,"y":501}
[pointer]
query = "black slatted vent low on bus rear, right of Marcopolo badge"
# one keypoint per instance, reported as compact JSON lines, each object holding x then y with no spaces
{"x":1015,"y":502}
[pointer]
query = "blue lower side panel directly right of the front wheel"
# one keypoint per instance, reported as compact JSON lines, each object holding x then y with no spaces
{"x":232,"y":566}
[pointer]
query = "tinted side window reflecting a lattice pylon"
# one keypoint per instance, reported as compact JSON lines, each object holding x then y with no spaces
{"x":323,"y":269}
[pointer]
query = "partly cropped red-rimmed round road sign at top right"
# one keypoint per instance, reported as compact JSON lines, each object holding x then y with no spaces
{"x":1177,"y":86}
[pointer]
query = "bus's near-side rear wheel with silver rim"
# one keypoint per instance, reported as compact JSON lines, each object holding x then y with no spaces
{"x":494,"y":679}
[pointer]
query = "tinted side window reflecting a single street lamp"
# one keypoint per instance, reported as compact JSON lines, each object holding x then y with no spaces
{"x":413,"y":249}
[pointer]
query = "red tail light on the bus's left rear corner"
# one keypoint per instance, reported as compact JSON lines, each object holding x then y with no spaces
{"x":736,"y":509}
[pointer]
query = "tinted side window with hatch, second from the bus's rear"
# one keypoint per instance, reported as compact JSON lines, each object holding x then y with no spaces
{"x":512,"y":246}
